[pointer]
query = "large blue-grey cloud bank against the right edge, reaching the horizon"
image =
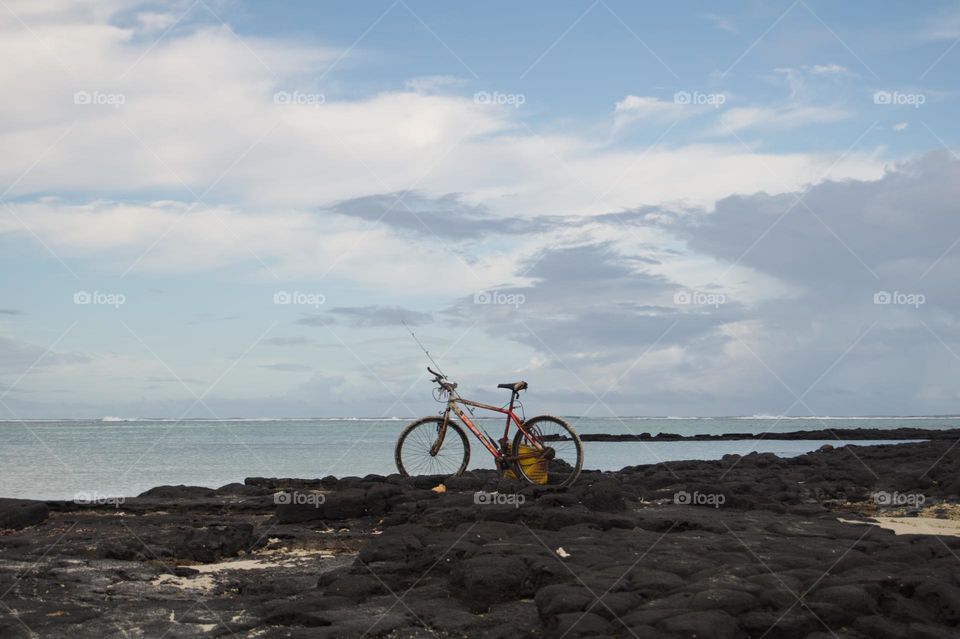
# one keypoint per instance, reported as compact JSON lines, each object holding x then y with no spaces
{"x":857,"y":238}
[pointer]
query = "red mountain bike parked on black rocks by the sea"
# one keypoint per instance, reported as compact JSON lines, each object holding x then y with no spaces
{"x":545,"y":449}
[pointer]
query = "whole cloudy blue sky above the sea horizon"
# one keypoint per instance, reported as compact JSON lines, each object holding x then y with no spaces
{"x":217,"y":209}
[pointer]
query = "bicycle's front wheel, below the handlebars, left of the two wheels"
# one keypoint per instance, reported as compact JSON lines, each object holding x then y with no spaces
{"x":414,"y":454}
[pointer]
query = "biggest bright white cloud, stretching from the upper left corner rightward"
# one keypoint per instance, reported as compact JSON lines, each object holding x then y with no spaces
{"x":174,"y":139}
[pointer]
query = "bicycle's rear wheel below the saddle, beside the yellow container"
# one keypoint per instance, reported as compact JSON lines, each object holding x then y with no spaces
{"x":551,"y":455}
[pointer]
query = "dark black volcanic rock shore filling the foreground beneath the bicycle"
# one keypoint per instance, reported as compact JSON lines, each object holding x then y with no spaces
{"x":752,"y":546}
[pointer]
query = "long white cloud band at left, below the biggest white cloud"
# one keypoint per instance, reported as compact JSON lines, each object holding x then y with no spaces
{"x":170,"y":237}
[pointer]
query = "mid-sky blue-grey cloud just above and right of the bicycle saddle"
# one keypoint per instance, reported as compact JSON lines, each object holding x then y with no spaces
{"x":590,"y":302}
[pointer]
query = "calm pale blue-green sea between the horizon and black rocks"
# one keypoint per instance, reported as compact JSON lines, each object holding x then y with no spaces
{"x":123,"y":457}
